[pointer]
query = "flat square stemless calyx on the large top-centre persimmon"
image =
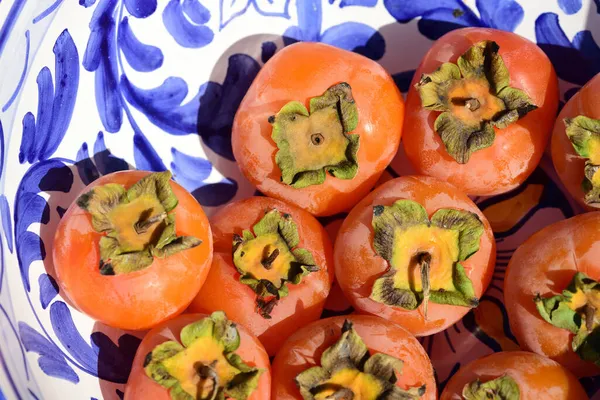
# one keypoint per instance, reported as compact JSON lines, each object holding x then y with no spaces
{"x":310,"y":145}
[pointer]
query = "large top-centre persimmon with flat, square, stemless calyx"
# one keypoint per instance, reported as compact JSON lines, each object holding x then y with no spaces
{"x":324,"y":158}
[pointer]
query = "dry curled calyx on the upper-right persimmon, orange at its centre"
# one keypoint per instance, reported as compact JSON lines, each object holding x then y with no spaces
{"x":473,"y":96}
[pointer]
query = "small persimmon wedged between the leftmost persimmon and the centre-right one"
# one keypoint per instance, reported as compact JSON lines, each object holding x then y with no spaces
{"x":272,"y":269}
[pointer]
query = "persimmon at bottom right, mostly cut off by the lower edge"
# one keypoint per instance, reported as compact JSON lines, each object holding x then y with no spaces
{"x":513,"y":375}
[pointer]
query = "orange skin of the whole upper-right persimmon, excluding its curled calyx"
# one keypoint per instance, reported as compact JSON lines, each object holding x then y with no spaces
{"x":517,"y":149}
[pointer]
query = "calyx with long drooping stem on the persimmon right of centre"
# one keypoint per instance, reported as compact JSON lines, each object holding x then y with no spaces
{"x":424,"y":255}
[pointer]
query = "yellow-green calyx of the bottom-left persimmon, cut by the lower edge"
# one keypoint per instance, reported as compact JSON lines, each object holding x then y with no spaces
{"x":204,"y":366}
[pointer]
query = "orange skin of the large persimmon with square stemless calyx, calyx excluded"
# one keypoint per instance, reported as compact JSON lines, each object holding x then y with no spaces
{"x":301,"y":71}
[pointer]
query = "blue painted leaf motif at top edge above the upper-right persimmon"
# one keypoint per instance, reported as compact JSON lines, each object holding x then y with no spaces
{"x":439,"y":17}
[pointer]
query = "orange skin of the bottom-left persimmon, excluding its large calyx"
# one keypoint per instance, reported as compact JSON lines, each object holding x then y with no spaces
{"x":140,"y":386}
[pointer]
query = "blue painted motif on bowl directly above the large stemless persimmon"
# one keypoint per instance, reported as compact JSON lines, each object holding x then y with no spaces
{"x":352,"y":36}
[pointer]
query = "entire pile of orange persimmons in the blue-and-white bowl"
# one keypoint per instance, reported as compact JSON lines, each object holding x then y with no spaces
{"x":314,"y":133}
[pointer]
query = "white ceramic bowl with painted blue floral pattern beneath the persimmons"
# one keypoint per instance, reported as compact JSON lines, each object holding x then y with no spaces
{"x":145,"y":112}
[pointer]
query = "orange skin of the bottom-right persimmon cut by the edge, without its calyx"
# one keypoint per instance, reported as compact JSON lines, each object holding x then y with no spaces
{"x":538,"y":377}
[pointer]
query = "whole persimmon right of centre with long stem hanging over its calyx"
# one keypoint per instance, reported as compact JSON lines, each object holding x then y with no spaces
{"x":415,"y":251}
